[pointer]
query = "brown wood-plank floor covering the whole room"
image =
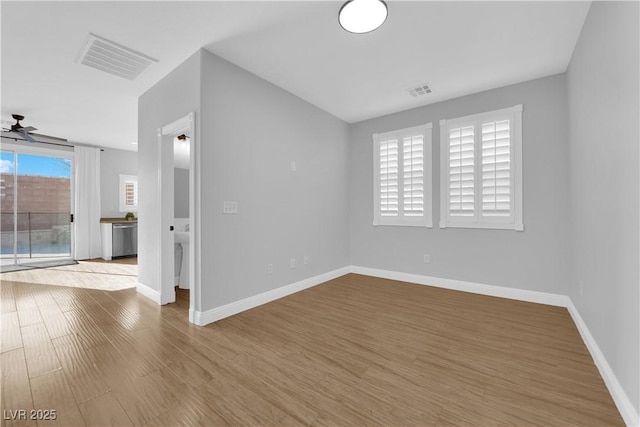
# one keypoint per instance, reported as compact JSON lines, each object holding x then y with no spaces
{"x":354,"y":351}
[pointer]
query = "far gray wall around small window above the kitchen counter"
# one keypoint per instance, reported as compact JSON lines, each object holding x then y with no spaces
{"x":113,"y":163}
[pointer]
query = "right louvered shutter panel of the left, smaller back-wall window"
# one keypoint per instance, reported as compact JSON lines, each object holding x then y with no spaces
{"x":413,"y":175}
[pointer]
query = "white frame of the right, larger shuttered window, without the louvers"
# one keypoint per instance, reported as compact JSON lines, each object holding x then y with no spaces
{"x":514,"y":221}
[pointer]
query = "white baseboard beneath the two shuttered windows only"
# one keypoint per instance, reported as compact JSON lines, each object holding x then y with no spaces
{"x":459,"y":285}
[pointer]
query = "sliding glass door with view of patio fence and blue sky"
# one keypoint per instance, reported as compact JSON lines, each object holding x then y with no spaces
{"x":35,"y":205}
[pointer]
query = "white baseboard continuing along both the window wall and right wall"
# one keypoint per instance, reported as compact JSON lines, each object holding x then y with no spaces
{"x":620,"y":398}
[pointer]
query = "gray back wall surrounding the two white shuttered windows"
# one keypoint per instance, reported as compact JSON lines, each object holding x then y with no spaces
{"x":535,"y":259}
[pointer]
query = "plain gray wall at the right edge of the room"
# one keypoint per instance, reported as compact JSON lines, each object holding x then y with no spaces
{"x":602,"y":85}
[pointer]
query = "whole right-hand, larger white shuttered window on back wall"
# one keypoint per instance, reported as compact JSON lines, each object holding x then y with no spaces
{"x":481,"y":170}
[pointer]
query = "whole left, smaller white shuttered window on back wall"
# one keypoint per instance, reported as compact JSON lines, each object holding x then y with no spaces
{"x":402,"y":177}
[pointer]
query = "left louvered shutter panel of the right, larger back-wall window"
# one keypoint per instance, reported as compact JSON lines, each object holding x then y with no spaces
{"x":461,"y":171}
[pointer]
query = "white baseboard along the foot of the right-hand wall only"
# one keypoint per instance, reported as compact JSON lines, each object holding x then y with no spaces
{"x":628,"y":412}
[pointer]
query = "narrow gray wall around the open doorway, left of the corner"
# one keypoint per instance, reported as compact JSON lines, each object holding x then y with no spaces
{"x":172,"y":98}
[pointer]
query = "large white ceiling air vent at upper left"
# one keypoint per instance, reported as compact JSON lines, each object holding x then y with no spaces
{"x":113,"y":58}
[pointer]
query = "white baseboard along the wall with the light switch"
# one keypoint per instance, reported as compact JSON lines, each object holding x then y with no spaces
{"x":215,"y":314}
